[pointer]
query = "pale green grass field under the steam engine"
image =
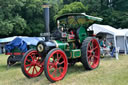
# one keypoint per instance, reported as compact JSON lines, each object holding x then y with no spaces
{"x":109,"y":72}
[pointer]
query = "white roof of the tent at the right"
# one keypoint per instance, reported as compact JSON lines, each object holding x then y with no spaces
{"x":108,"y":29}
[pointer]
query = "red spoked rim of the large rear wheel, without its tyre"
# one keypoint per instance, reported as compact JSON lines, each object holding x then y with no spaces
{"x":93,"y":53}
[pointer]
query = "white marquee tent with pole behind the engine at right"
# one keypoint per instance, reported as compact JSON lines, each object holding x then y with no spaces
{"x":119,"y":36}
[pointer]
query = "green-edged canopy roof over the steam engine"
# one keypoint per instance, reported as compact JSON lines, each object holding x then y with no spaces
{"x":76,"y":19}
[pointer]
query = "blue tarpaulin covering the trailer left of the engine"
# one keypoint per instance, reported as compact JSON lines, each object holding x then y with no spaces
{"x":22,"y":42}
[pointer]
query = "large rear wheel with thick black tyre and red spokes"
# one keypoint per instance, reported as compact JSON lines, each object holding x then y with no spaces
{"x":90,"y":53}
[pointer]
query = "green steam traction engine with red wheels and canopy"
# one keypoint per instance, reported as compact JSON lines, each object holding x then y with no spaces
{"x":70,"y":43}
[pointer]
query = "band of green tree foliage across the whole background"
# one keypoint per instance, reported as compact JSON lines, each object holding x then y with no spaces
{"x":25,"y":17}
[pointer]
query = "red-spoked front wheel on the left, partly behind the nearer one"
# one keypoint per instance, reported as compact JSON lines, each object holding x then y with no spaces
{"x":32,"y":64}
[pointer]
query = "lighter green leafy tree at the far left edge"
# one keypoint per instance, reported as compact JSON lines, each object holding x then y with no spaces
{"x":9,"y":17}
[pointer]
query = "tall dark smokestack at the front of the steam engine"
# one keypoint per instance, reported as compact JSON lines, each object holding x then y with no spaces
{"x":46,"y":19}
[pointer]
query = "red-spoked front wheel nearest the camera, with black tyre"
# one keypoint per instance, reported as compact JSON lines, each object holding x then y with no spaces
{"x":56,"y":65}
